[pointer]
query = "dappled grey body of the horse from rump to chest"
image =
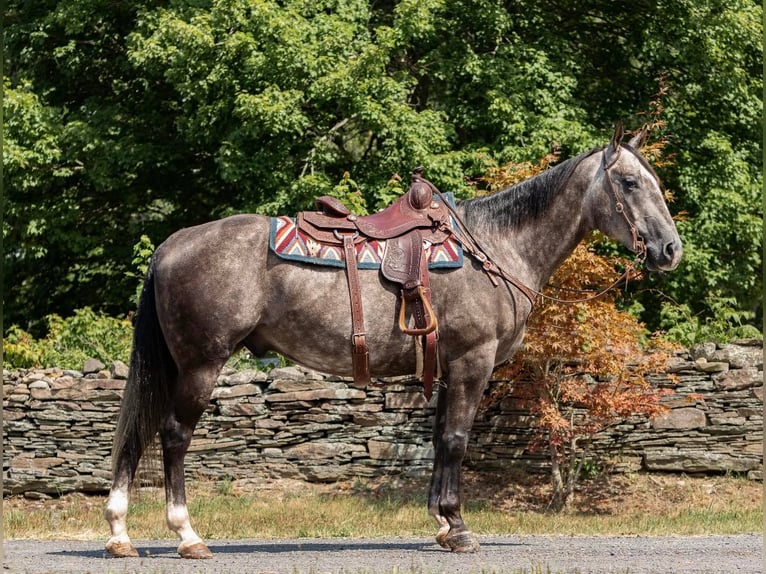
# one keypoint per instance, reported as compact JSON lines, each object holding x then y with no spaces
{"x":219,"y":286}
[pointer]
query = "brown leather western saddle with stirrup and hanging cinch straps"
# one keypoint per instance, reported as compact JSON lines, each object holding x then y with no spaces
{"x":416,"y":217}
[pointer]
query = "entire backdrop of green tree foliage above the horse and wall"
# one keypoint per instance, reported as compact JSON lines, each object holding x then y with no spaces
{"x":130,"y":119}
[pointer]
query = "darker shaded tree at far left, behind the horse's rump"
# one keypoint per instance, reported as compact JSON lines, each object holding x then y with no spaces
{"x":85,"y":154}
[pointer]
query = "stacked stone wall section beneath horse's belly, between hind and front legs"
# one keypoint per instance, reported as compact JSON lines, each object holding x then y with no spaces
{"x":301,"y":424}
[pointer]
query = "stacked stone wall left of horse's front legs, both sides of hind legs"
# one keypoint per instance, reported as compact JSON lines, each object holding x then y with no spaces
{"x":292,"y":423}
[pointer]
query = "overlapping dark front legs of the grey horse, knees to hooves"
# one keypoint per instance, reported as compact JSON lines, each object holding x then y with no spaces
{"x":456,"y":408}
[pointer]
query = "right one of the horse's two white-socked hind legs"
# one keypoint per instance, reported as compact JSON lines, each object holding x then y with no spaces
{"x":190,"y":398}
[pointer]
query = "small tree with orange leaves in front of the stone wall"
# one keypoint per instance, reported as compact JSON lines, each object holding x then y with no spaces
{"x":583,"y":368}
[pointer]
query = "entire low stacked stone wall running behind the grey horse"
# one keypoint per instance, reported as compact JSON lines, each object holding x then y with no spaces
{"x":58,"y":426}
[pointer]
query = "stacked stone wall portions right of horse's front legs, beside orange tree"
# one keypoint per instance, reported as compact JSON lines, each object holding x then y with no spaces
{"x":714,"y":423}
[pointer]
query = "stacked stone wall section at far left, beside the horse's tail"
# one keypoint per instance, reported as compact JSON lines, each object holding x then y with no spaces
{"x":58,"y":426}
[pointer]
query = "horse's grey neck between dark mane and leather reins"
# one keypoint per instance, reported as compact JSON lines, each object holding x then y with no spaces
{"x":532,"y":251}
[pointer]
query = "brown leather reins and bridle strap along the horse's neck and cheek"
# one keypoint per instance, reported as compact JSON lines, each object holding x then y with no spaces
{"x":493,"y":270}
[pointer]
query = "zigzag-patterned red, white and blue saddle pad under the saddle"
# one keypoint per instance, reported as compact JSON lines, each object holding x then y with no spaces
{"x":288,"y":242}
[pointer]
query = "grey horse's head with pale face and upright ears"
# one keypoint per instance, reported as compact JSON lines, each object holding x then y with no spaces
{"x":631,"y":205}
